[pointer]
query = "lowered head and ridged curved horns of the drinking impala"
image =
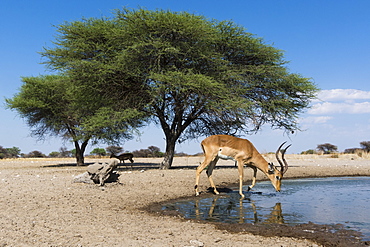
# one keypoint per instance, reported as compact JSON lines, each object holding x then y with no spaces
{"x":274,"y":174}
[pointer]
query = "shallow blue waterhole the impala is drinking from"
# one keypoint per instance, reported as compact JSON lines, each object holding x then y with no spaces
{"x":343,"y":200}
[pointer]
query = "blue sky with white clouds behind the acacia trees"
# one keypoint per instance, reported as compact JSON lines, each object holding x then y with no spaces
{"x":327,"y":41}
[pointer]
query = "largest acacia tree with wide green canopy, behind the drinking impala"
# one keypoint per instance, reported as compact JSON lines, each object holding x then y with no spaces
{"x":197,"y":76}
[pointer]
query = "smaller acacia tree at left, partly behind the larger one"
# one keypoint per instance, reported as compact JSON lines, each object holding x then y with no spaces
{"x":52,"y":107}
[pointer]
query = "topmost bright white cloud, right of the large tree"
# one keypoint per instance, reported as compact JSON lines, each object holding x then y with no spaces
{"x":343,"y":95}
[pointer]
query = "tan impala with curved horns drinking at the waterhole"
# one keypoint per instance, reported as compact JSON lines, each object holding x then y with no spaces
{"x":243,"y":153}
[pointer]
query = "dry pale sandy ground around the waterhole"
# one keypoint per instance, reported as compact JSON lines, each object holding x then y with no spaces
{"x":40,"y":206}
